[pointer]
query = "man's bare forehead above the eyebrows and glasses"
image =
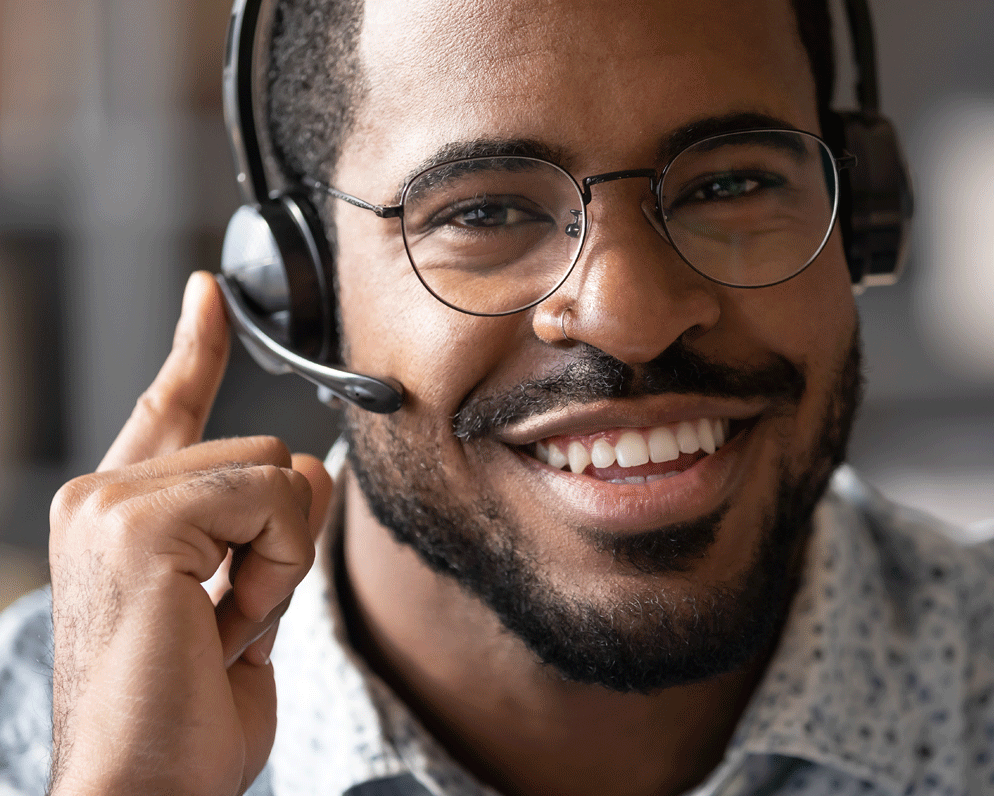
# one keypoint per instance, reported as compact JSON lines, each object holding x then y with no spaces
{"x":597,"y":77}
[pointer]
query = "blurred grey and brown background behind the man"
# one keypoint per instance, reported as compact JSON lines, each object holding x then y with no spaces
{"x":116,"y":183}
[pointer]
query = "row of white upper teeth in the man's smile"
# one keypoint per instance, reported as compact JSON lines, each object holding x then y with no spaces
{"x":636,"y":447}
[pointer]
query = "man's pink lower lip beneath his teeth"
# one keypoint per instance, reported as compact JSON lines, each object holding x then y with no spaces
{"x":633,"y":508}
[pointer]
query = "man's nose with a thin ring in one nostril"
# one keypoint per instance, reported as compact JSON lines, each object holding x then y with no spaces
{"x":630,"y":294}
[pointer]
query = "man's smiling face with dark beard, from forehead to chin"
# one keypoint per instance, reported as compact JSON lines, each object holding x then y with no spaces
{"x":682,"y":570}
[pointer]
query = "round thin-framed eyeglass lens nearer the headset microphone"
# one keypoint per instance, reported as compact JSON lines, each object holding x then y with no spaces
{"x":492,"y":236}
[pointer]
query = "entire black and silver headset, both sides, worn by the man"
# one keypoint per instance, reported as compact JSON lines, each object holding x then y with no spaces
{"x":277,"y":272}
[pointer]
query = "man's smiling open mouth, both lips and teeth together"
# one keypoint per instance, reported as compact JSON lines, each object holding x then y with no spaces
{"x":628,"y":467}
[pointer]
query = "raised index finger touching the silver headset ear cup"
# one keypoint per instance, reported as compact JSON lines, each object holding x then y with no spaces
{"x":172,"y":412}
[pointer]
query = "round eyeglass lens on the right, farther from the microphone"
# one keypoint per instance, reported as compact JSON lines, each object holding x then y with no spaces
{"x":751,"y":208}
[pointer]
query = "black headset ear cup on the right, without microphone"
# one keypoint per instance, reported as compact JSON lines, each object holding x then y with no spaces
{"x":877,"y":202}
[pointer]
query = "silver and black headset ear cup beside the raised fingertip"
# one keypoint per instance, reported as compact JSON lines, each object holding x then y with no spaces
{"x":280,"y":266}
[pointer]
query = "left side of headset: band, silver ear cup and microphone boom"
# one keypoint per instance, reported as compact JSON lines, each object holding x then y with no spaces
{"x":276,"y":268}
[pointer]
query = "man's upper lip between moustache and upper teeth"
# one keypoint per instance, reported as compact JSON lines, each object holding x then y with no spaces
{"x":643,"y":413}
